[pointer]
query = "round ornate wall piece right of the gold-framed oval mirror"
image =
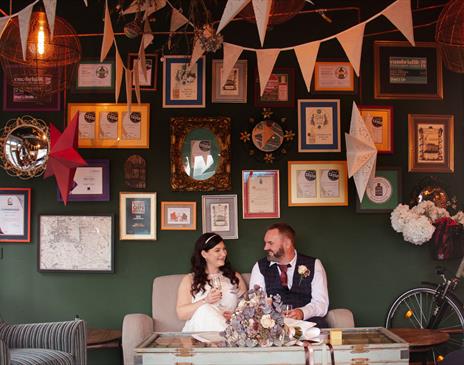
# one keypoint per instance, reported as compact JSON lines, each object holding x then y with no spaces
{"x":267,"y":138}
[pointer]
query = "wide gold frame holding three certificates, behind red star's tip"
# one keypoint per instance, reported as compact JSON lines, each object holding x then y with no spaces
{"x":108,"y":125}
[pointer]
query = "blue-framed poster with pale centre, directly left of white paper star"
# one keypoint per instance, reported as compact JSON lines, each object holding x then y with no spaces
{"x":318,"y":125}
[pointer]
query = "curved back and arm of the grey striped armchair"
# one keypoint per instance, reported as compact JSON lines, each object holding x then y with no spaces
{"x":69,"y":336}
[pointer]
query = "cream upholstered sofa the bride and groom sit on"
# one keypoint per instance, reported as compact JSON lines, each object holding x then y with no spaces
{"x":136,"y":327}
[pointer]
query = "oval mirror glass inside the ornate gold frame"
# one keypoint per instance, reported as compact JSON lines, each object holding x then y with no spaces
{"x":200,"y":154}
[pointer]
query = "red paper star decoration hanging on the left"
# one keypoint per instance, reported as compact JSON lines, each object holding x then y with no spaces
{"x":63,"y":157}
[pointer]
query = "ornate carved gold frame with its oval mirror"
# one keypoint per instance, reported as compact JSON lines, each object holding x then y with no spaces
{"x":195,"y":144}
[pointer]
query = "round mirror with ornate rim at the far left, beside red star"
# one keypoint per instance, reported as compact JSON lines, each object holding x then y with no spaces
{"x":24,"y":147}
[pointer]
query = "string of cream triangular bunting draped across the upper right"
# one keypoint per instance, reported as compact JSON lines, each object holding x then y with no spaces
{"x":399,"y":13}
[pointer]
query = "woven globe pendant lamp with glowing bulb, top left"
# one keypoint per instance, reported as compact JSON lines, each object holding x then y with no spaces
{"x":39,"y":51}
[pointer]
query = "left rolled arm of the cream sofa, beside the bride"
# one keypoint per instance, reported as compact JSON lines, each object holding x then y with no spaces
{"x":135,"y":328}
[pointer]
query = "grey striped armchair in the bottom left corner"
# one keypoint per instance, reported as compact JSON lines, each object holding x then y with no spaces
{"x":56,"y":343}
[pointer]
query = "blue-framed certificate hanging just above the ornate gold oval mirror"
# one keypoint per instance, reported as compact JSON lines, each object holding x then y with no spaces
{"x":183,"y":86}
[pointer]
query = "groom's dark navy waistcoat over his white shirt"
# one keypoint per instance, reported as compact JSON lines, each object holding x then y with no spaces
{"x":300,"y":294}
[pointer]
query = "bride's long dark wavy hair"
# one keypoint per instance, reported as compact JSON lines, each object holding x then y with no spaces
{"x":200,"y":278}
